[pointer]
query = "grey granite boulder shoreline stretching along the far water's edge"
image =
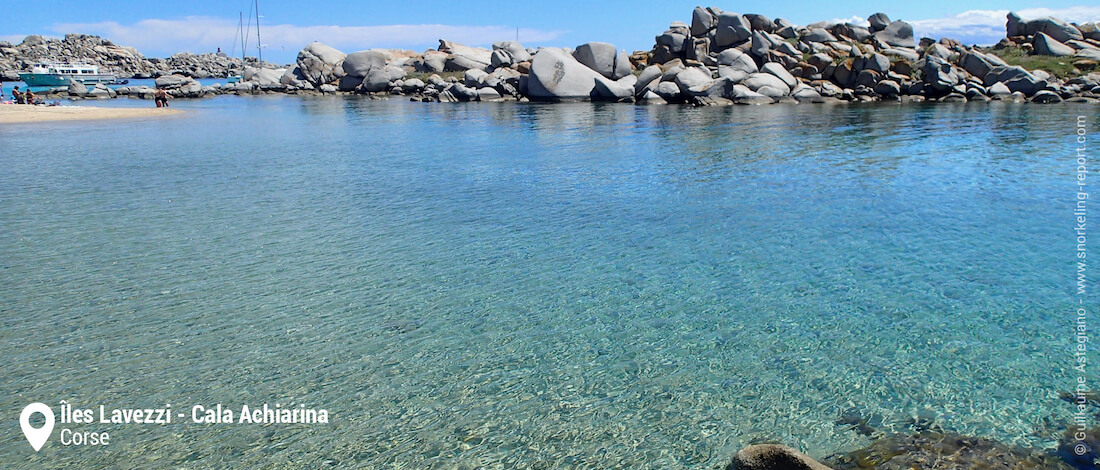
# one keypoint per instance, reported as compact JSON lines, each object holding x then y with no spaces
{"x":720,"y":59}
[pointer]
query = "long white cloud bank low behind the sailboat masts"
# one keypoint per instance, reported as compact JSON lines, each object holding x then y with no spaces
{"x":162,"y":38}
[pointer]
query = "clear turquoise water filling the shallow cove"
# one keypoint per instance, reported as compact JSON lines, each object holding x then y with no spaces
{"x":537,"y":287}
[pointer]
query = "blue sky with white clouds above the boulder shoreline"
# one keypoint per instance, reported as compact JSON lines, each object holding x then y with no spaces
{"x":161,"y":29}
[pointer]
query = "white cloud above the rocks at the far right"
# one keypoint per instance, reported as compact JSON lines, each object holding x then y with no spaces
{"x":987,"y":27}
